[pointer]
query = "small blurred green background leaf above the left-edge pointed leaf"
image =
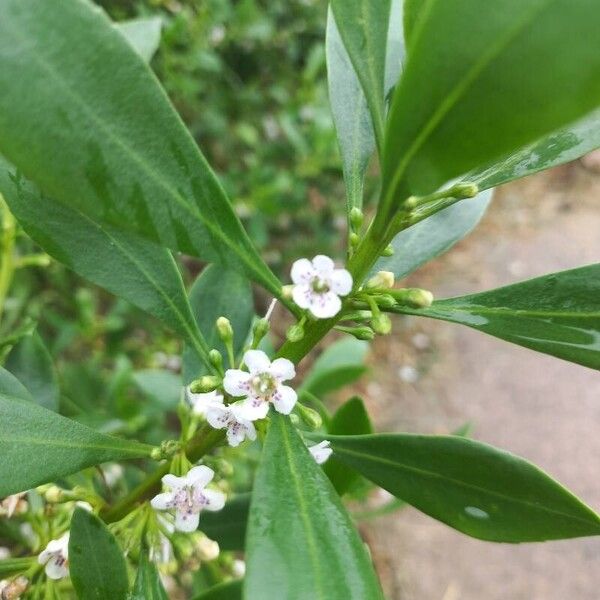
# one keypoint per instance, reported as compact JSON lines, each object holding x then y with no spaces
{"x":30,"y":362}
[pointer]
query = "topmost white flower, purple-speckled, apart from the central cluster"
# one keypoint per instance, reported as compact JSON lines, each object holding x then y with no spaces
{"x":318,"y":286}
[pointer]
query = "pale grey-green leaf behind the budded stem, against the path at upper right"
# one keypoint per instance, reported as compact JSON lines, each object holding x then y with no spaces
{"x":433,"y":236}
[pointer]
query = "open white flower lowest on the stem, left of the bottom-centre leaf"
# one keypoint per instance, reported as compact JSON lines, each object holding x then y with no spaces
{"x":188,"y":496}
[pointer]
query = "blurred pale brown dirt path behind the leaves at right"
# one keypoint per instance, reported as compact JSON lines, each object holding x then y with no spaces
{"x":433,"y":376}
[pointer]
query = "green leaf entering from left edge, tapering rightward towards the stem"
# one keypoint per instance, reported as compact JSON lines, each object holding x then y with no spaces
{"x":38,"y":446}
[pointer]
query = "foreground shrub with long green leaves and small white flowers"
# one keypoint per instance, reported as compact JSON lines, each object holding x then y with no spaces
{"x":99,"y":171}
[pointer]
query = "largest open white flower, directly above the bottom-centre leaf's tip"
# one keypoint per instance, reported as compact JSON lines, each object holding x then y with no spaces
{"x":261,"y":385}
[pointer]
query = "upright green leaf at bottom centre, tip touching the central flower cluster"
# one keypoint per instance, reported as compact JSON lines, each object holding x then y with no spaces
{"x":301,"y":542}
